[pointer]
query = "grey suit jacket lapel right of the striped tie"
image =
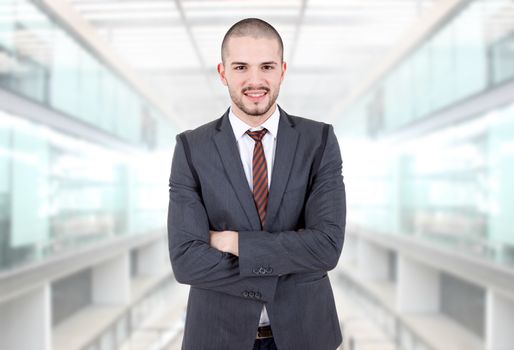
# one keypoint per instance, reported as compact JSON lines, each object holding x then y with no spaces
{"x":287,"y":140}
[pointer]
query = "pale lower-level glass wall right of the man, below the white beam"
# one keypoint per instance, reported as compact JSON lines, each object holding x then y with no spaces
{"x":452,"y":188}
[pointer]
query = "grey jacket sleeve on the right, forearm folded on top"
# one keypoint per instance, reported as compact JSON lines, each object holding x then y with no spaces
{"x":319,"y":245}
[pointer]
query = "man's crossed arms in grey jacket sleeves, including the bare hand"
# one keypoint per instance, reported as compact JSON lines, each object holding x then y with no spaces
{"x":226,"y":261}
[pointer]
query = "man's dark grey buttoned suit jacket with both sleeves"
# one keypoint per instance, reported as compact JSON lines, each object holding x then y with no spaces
{"x":284,"y":265}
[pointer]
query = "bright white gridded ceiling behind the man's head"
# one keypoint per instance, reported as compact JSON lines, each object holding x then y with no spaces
{"x":329,"y":46}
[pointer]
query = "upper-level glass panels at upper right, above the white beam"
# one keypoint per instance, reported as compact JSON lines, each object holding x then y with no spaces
{"x":469,"y":54}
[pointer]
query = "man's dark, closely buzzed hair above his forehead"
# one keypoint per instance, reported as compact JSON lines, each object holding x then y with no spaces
{"x":255,"y":28}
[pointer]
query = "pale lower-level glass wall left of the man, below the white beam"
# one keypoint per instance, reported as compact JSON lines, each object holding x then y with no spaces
{"x":59,"y":192}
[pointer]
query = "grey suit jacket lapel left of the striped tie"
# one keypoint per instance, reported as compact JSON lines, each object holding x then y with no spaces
{"x":229,"y":154}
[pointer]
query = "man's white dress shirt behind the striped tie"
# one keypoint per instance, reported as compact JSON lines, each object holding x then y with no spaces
{"x":246,"y":145}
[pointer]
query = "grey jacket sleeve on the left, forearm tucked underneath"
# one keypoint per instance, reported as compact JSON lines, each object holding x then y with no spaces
{"x":193,"y":260}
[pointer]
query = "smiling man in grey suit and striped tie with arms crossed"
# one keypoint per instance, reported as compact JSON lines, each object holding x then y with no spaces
{"x":257,"y":212}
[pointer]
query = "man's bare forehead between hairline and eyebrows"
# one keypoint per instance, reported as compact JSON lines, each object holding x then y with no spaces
{"x":250,"y":49}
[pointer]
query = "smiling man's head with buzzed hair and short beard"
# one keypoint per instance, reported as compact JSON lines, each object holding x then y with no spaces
{"x":252,"y":67}
